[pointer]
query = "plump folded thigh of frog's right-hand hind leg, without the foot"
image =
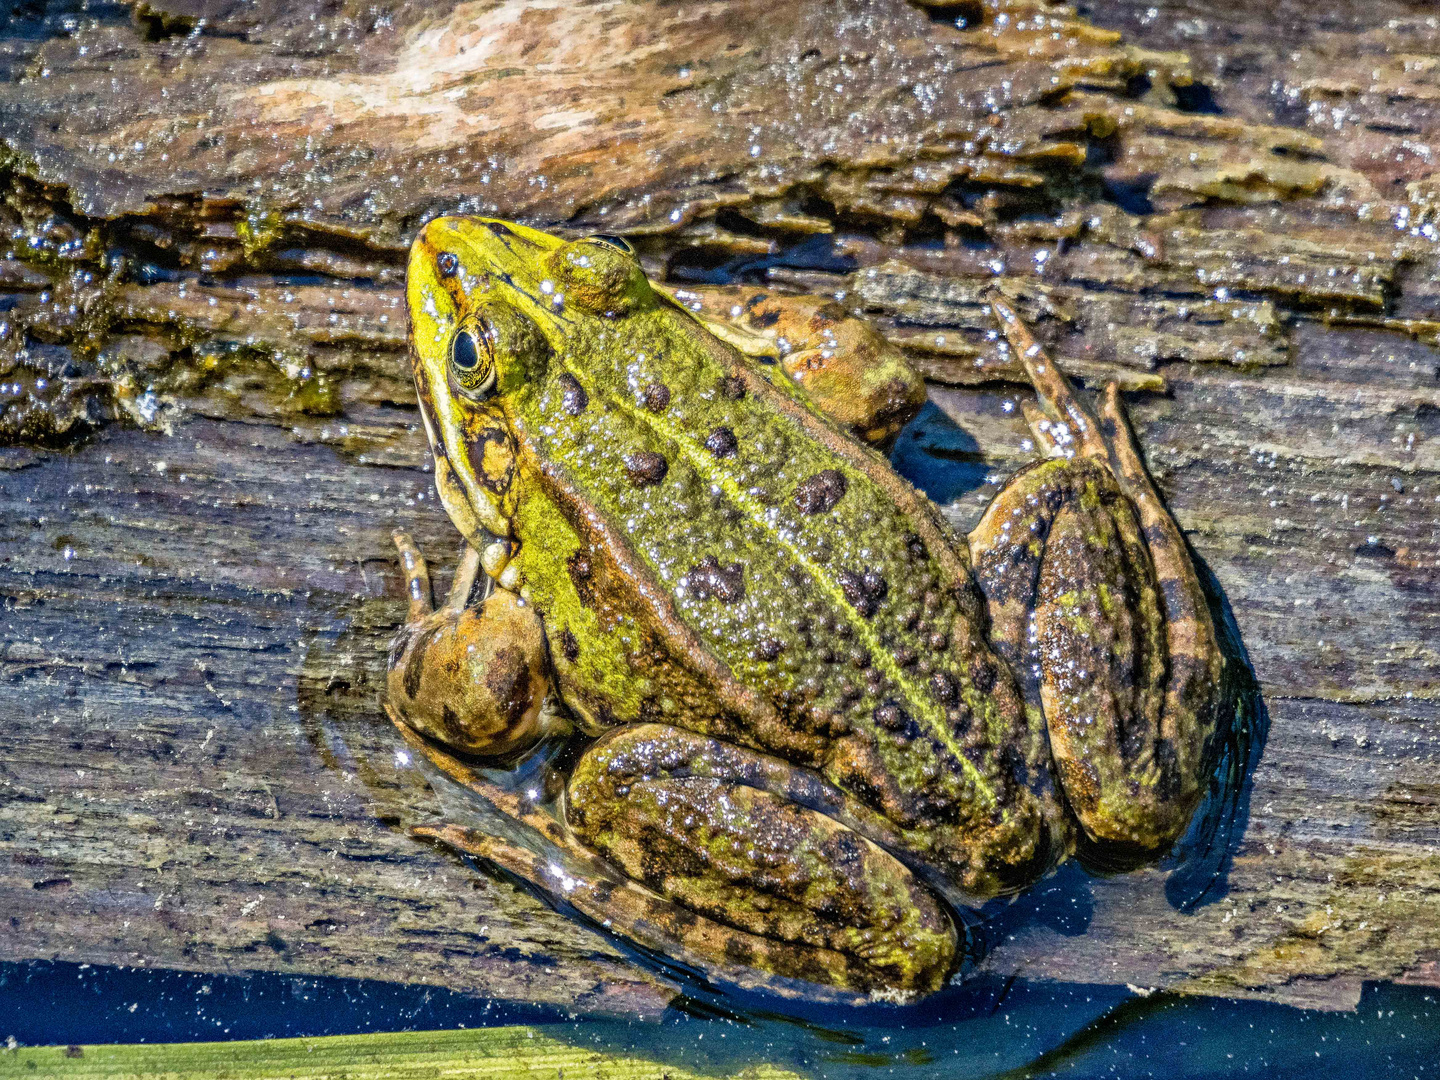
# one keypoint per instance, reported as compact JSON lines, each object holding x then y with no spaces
{"x":1076,"y":611}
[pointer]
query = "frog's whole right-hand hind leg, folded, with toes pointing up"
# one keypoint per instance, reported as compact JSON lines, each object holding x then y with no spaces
{"x":1098,"y":608}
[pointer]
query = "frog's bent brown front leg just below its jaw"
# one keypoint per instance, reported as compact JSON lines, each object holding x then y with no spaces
{"x":474,"y":679}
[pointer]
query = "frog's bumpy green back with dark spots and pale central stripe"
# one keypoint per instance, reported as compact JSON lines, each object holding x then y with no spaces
{"x":794,"y":574}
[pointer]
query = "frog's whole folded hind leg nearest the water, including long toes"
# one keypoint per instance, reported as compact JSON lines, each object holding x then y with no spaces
{"x":728,"y":860}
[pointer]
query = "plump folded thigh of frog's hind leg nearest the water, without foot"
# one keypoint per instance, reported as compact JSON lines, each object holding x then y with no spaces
{"x":807,"y":896}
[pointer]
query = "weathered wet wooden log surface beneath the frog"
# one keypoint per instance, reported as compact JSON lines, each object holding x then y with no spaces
{"x":210,"y":207}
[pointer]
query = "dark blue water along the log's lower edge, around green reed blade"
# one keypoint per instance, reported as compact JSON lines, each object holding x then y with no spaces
{"x":984,"y":1030}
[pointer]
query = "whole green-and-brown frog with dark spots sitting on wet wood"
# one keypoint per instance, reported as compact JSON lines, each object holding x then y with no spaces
{"x":809,"y":719}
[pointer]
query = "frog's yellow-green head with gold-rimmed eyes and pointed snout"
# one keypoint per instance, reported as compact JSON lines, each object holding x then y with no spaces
{"x":492,"y":305}
